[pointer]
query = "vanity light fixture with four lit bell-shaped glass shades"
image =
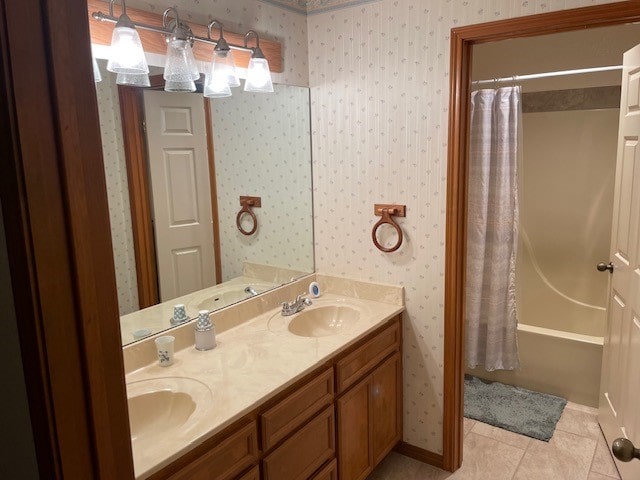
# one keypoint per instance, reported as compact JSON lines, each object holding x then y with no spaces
{"x":181,"y":71}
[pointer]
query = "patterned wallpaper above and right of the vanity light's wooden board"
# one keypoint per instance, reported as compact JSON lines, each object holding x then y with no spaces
{"x":270,"y":21}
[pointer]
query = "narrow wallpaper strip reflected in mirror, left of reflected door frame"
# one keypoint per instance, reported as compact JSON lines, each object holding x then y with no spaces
{"x":117,"y":191}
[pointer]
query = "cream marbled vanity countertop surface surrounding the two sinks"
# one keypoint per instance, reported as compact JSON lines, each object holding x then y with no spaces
{"x":252,"y":363}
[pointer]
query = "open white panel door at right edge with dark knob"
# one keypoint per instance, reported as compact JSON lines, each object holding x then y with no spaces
{"x":619,"y":412}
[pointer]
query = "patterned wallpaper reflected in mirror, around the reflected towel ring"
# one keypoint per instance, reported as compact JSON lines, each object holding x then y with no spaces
{"x":269,"y":157}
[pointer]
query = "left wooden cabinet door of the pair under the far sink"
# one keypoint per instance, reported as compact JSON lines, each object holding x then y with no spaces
{"x":355,"y":456}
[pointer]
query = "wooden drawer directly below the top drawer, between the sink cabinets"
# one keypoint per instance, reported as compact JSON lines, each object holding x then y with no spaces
{"x":304,"y":452}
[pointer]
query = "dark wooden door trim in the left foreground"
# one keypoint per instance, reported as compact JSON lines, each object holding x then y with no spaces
{"x":59,"y":243}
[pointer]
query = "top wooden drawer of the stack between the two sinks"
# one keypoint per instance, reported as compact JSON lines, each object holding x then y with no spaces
{"x":282,"y":419}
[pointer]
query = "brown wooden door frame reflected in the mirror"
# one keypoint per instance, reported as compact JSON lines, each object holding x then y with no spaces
{"x":134,"y":137}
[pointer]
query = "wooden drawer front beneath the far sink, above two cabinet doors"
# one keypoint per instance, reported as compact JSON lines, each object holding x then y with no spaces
{"x":358,"y":363}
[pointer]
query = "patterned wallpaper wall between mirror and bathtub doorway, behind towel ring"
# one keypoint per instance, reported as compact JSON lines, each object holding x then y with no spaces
{"x":379,"y":76}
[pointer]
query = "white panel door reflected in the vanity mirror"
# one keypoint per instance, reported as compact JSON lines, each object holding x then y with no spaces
{"x":181,"y":191}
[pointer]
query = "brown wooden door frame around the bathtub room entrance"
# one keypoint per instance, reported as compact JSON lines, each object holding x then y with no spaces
{"x":462,"y":41}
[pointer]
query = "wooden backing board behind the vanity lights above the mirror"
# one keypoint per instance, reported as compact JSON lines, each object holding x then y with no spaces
{"x":153,"y":42}
